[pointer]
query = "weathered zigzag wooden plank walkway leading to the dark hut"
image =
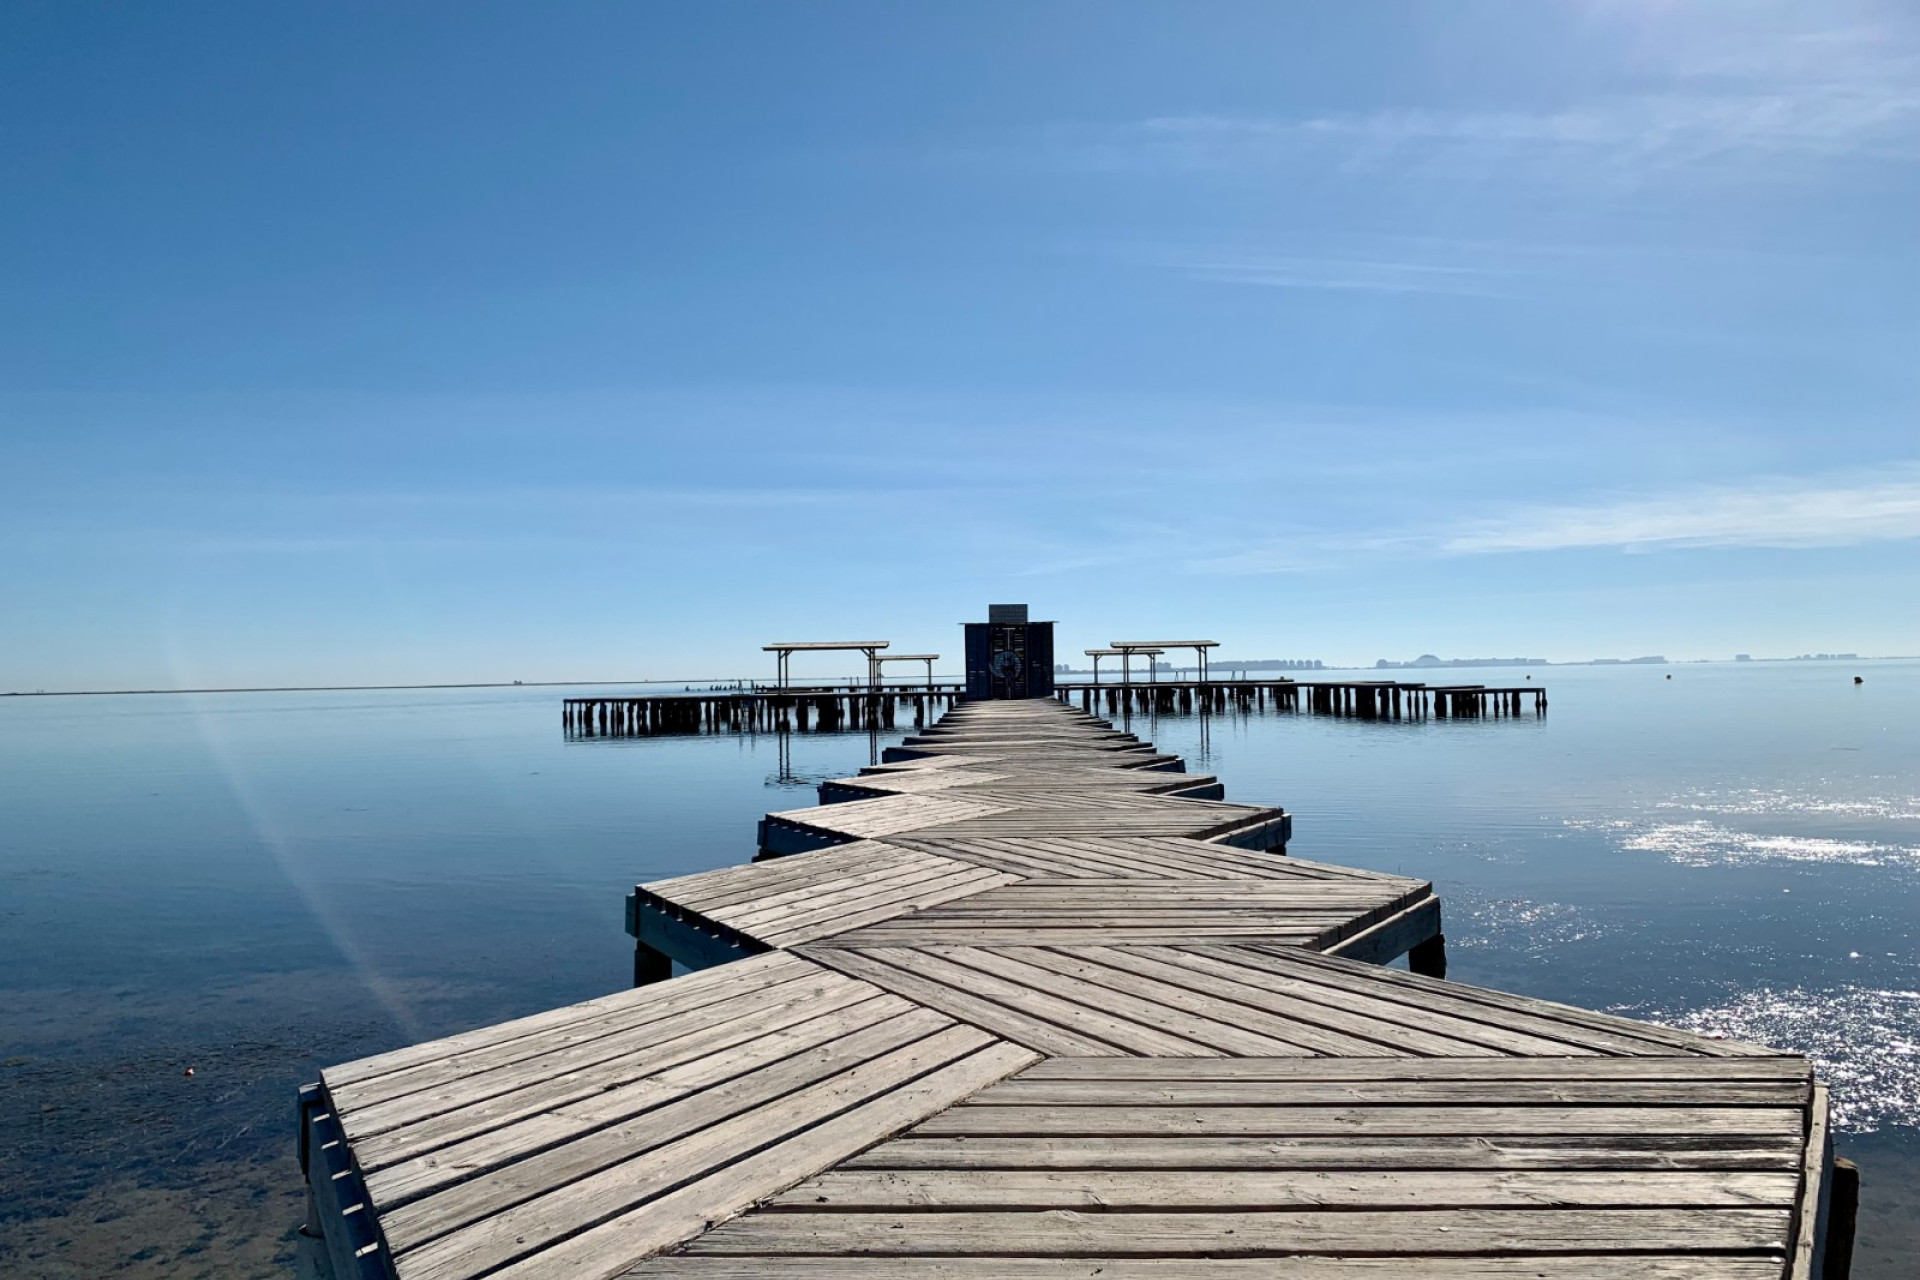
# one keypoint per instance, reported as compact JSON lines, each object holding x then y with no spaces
{"x":994,"y":1043}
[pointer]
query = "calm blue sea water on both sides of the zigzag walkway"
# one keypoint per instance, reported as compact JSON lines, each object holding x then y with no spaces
{"x":254,"y":886}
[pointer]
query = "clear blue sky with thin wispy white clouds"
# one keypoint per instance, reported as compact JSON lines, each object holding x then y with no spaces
{"x":481,"y":343}
